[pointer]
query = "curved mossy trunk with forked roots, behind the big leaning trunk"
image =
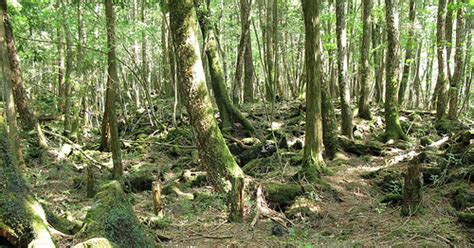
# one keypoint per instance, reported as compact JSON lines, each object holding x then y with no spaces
{"x":228,"y":112}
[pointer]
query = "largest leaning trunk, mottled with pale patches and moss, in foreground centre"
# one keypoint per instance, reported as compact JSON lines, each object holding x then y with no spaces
{"x":213,"y":151}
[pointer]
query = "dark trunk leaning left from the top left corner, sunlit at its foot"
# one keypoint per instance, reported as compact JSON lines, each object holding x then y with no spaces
{"x":27,"y":116}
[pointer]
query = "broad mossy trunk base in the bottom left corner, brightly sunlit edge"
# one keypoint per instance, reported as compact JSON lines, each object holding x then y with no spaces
{"x":22,"y":219}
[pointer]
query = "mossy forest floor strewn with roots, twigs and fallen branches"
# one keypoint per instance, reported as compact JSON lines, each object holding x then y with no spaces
{"x":348,"y":208}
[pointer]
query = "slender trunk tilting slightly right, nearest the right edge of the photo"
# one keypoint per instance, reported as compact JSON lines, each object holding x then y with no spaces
{"x":455,"y":83}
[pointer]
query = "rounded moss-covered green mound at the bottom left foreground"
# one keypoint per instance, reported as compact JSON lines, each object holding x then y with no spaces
{"x":112,"y":217}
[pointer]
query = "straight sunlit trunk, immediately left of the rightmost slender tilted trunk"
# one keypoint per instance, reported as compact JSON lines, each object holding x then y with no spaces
{"x":442,"y":82}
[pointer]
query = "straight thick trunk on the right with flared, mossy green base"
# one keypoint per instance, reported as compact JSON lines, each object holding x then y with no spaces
{"x":393,"y":129}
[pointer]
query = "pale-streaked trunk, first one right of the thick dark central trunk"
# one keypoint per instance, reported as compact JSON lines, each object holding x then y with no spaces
{"x":344,"y":91}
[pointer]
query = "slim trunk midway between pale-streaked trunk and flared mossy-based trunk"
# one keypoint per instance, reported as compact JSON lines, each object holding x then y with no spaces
{"x":364,"y":108}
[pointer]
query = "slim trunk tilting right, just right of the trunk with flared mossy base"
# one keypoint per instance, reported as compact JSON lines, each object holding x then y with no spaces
{"x":408,"y":55}
